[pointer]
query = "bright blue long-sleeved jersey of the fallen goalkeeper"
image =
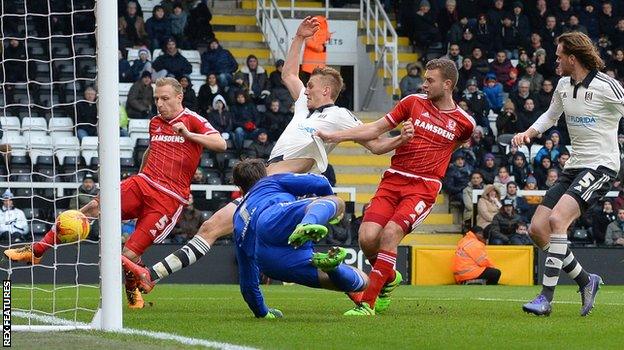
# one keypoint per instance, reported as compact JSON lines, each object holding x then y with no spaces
{"x":269,"y":191}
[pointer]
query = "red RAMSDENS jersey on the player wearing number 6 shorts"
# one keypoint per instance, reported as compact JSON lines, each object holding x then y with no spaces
{"x":436,"y":135}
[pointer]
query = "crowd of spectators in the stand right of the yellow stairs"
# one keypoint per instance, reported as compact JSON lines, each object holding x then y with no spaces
{"x":505,"y":54}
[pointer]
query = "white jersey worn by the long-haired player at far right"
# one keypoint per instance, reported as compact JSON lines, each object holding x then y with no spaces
{"x":592,"y":110}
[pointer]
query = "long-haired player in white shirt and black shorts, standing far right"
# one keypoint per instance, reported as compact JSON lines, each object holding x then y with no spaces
{"x":592,"y":104}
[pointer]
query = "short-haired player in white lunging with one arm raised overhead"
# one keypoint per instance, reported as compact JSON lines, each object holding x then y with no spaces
{"x":298,"y":150}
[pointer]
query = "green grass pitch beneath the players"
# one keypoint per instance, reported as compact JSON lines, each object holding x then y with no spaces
{"x":441,"y":317}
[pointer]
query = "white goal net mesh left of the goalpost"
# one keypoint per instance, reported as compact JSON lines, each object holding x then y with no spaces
{"x":47,"y":70}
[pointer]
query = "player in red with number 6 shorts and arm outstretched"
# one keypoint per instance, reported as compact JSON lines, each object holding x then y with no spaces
{"x":408,"y":189}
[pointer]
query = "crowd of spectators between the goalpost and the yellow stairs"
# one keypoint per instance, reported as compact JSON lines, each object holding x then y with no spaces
{"x":248,"y":106}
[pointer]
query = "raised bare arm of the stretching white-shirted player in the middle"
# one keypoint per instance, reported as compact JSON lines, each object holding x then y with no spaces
{"x":290,"y":72}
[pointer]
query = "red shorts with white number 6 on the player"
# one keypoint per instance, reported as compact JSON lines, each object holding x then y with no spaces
{"x":403,"y":200}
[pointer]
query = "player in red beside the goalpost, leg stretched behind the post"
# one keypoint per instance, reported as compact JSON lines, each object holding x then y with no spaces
{"x":156,"y":195}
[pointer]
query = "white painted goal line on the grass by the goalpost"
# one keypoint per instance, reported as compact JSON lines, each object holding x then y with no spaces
{"x":155,"y":335}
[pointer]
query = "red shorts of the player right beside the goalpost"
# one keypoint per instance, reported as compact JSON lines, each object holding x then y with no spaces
{"x":156,"y":213}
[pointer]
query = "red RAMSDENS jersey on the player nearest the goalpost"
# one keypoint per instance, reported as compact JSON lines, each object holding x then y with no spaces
{"x":172,"y":160}
